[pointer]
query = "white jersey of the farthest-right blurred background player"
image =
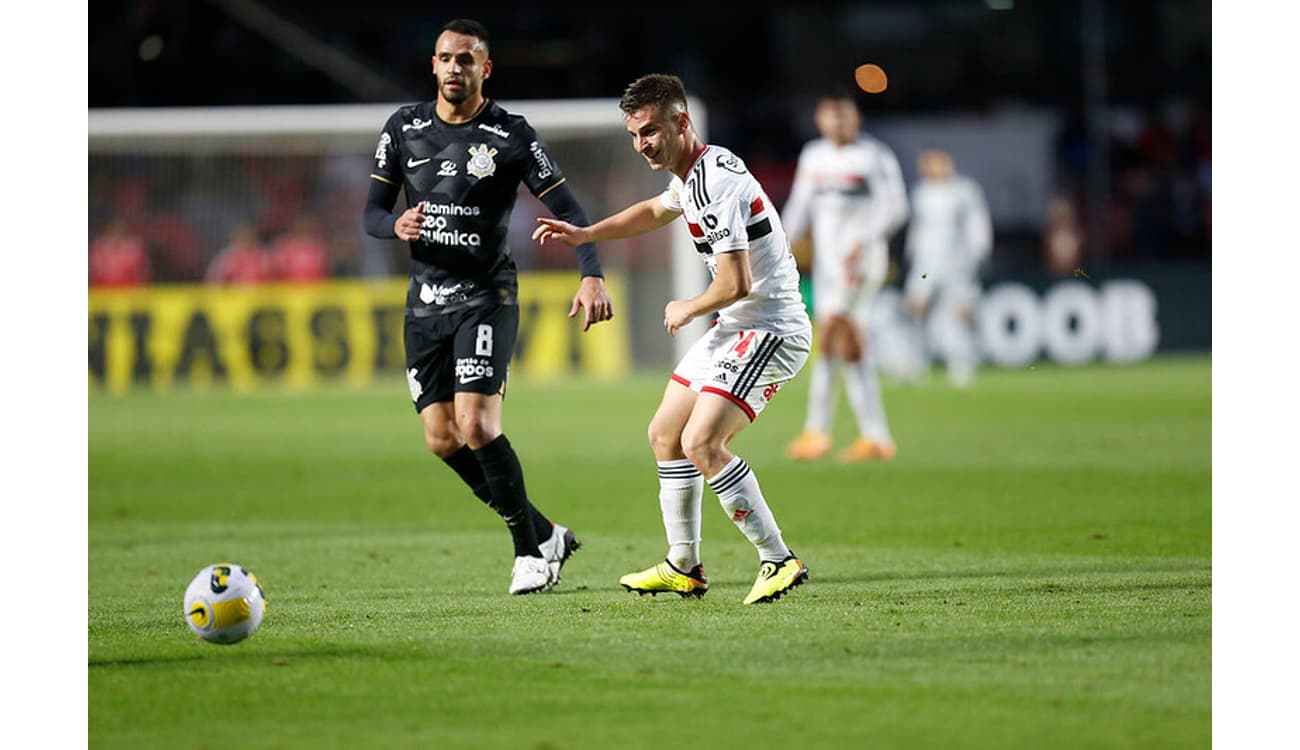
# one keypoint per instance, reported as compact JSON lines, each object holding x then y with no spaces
{"x":951,"y":231}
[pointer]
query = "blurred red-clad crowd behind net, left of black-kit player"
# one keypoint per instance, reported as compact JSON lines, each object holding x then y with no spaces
{"x":265,"y":220}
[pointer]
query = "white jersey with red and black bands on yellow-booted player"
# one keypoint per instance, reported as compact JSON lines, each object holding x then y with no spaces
{"x":727,"y":210}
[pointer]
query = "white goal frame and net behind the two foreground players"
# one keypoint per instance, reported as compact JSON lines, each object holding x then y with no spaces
{"x":189,"y":181}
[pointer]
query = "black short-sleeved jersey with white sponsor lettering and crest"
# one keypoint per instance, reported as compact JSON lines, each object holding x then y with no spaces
{"x":467,"y":177}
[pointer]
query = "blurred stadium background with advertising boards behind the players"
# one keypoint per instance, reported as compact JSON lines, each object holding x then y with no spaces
{"x":1087,"y":123}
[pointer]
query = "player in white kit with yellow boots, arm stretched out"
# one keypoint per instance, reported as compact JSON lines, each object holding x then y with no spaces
{"x":760,"y":341}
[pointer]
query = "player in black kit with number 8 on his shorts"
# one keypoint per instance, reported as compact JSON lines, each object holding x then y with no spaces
{"x":461,"y":159}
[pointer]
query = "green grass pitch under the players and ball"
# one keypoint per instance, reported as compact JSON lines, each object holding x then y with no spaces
{"x":1033,"y":571}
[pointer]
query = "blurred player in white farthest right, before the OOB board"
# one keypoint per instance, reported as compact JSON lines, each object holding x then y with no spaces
{"x":948,"y":241}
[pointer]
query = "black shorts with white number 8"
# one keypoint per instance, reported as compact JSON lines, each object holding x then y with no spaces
{"x":463,"y":352}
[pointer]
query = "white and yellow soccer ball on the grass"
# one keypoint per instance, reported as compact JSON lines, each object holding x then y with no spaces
{"x":224,"y":604}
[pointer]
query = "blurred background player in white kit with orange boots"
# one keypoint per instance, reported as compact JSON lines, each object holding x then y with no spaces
{"x":851,"y":197}
